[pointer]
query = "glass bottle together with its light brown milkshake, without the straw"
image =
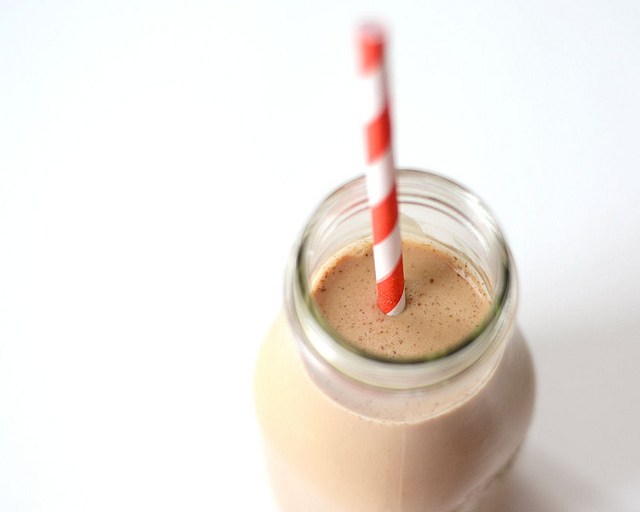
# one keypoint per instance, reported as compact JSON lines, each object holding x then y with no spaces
{"x":416,"y":413}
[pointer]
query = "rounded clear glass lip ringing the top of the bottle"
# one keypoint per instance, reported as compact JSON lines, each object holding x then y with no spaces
{"x":322,"y":343}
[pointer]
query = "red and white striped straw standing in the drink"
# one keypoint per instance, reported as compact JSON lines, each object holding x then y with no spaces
{"x":381,"y":173}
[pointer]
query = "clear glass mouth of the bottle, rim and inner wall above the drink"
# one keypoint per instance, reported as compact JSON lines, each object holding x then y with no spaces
{"x":430,"y":206}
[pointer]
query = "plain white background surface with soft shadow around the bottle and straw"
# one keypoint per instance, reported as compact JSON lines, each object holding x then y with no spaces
{"x":158,"y":159}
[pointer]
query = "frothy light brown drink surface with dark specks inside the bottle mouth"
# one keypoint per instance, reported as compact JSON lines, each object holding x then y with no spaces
{"x":446,"y":302}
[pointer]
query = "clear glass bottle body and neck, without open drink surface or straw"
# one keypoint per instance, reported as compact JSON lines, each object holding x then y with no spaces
{"x":344,"y":432}
